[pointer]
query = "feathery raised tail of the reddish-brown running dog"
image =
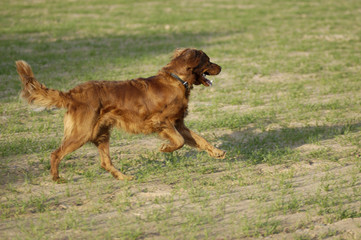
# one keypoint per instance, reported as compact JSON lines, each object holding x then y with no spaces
{"x":35,"y":92}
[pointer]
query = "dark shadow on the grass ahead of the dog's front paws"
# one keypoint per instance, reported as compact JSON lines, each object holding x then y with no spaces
{"x":273,"y":146}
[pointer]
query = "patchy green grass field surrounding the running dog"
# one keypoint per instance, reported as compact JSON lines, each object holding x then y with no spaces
{"x":286,"y":108}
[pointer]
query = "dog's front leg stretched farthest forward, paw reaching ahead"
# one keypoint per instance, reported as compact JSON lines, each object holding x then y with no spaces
{"x":194,"y":140}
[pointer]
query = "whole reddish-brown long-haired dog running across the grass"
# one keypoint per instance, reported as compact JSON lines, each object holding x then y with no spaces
{"x":157,"y":104}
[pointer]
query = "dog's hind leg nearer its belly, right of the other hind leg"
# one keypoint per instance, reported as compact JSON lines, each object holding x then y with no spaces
{"x":102,"y":142}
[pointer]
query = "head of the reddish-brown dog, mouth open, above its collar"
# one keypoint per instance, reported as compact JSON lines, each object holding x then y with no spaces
{"x":194,"y":65}
